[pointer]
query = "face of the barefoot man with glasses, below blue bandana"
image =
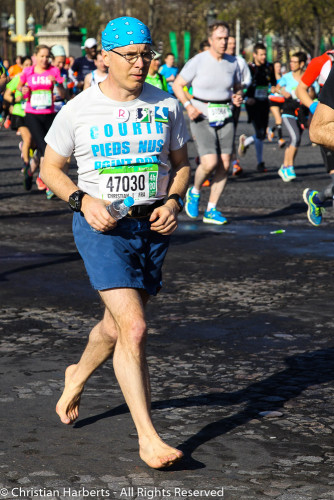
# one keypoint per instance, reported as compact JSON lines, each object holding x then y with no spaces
{"x":125,"y":75}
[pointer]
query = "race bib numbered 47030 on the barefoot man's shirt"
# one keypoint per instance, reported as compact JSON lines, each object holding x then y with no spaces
{"x":138,"y":181}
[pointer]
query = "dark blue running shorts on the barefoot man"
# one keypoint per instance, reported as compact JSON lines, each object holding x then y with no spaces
{"x":129,"y":256}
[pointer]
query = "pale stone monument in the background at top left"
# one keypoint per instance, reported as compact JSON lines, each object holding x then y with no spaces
{"x":62,"y":28}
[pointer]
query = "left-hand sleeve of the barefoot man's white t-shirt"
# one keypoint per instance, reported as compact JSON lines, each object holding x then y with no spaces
{"x":61,"y":134}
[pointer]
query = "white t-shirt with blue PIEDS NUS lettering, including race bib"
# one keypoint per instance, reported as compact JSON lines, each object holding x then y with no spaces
{"x":109,"y":137}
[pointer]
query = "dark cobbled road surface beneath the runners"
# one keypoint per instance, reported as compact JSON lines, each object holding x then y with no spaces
{"x":240,"y":349}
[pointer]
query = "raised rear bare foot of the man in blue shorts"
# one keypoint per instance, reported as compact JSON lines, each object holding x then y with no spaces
{"x":68,"y":405}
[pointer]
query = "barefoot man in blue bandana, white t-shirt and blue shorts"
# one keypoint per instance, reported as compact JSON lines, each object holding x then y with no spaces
{"x":121,"y":128}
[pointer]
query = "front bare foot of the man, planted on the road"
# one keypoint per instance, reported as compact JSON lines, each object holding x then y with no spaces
{"x":158,"y":454}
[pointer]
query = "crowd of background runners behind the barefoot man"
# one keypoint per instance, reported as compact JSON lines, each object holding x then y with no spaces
{"x":212,"y":88}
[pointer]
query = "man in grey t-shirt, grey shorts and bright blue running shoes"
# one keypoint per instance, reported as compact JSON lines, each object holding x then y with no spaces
{"x":216,"y":81}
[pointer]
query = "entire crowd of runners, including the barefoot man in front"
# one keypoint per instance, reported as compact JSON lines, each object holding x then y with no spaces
{"x":126,"y":131}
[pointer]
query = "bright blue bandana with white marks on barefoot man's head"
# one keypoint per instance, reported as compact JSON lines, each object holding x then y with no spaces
{"x":124,"y":31}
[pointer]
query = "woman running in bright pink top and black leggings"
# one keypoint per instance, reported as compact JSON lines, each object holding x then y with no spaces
{"x":37,"y":83}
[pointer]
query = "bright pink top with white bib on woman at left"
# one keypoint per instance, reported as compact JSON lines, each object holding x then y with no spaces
{"x":40,"y":100}
